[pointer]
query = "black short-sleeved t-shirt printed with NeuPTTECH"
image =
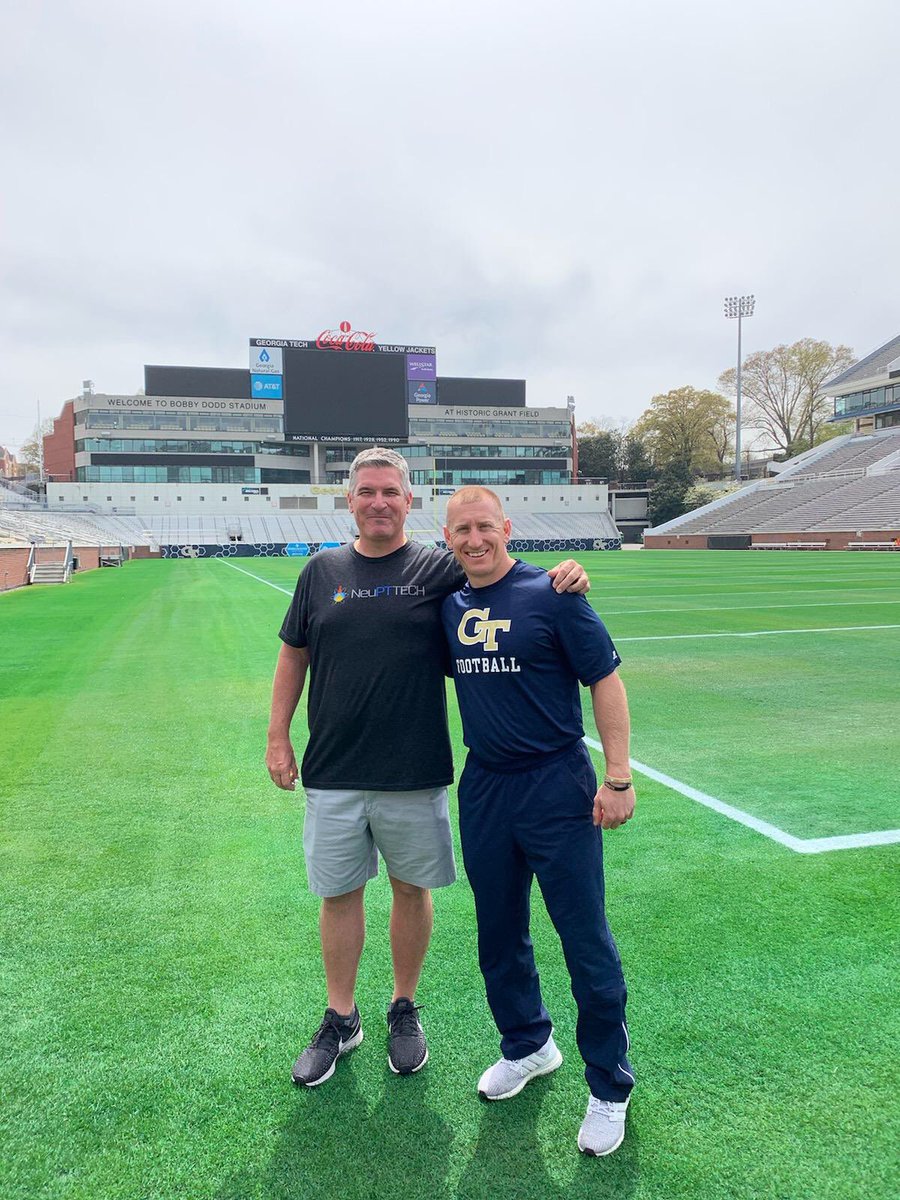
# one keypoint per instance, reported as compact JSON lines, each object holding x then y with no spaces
{"x":377,"y":701}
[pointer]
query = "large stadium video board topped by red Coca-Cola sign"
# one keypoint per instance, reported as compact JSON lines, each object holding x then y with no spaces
{"x":343,"y":386}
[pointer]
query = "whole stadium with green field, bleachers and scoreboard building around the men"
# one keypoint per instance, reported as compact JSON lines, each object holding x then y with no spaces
{"x":161,"y":959}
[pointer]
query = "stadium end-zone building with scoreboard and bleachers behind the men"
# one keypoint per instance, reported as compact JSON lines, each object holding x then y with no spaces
{"x":205,"y":464}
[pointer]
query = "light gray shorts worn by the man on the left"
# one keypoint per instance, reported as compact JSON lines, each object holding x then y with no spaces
{"x":344,"y":832}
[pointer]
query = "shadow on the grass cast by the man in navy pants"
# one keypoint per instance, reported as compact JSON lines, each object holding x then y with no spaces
{"x":511,"y":1157}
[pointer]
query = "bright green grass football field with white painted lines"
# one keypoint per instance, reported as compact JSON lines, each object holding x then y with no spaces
{"x":160,"y":956}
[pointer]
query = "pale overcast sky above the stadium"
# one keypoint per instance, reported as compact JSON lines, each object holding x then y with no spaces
{"x":561,"y":193}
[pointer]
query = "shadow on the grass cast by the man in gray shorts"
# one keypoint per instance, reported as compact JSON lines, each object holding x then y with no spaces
{"x":334,"y":1145}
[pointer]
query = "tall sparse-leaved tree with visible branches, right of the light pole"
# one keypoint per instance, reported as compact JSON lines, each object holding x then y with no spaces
{"x":783,"y":389}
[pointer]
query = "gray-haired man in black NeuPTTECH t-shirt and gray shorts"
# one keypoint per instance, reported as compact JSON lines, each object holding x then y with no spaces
{"x":365,"y":623}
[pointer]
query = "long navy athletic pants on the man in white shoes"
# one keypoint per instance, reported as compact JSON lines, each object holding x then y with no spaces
{"x":539,"y":823}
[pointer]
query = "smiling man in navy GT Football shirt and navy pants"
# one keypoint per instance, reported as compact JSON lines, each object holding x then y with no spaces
{"x":530,"y":806}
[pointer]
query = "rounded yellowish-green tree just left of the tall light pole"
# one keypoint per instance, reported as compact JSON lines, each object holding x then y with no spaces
{"x":680,"y":427}
